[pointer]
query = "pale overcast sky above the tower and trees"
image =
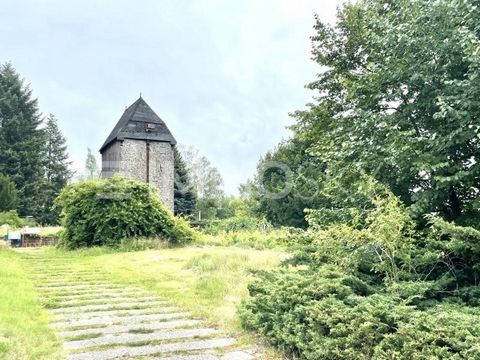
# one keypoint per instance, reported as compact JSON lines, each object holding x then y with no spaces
{"x":222,"y":74}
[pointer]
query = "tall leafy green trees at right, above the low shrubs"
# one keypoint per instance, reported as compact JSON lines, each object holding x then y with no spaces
{"x":397,"y":99}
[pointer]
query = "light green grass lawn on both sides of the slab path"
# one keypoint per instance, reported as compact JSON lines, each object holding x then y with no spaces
{"x":208,"y":282}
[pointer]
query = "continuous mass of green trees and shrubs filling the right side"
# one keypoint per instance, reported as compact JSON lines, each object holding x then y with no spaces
{"x":384,"y":175}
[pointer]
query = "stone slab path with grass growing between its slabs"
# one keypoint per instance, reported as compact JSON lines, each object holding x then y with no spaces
{"x":101,"y":320}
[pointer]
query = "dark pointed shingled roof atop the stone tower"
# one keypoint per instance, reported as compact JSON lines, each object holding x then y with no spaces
{"x":140,"y":122}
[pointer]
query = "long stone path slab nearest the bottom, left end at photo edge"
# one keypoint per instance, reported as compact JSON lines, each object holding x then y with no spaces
{"x":153,"y":349}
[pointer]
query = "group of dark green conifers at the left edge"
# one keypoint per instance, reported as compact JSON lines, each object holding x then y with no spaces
{"x":34,"y":164}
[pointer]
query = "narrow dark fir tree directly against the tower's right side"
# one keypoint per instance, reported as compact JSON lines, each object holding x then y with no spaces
{"x":185,"y":197}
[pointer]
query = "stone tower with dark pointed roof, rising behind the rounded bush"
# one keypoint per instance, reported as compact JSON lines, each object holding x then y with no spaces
{"x":140,"y":147}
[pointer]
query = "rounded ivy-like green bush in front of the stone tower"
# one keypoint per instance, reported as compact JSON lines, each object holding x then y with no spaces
{"x":104,"y":212}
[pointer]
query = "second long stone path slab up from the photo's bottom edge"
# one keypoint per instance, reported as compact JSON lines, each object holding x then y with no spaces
{"x":125,"y":339}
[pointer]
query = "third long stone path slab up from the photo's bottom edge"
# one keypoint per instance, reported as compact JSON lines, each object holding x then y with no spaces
{"x":110,"y":320}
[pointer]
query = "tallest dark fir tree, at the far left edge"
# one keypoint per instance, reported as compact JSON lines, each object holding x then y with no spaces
{"x":21,"y":140}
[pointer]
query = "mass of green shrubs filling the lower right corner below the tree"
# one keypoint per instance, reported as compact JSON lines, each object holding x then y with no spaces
{"x":370,"y":288}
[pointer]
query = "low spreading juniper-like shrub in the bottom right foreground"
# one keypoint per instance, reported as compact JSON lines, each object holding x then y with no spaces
{"x":326,"y":314}
